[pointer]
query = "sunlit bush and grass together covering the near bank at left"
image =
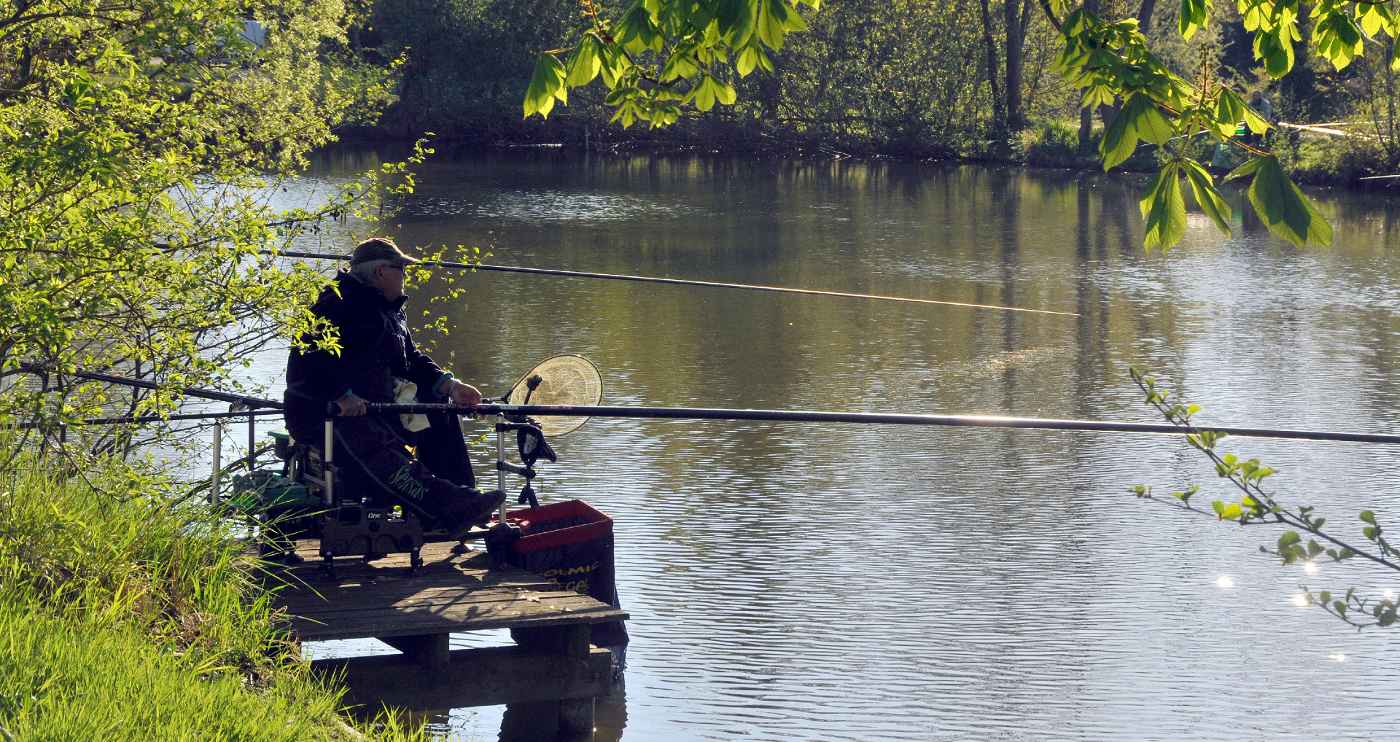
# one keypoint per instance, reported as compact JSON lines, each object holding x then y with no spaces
{"x":142,"y":143}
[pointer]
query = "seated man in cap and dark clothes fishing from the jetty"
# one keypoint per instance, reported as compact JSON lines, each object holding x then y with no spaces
{"x":380,"y":363}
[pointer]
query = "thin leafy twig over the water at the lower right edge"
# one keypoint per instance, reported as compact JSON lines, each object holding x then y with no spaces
{"x":1259,"y":506}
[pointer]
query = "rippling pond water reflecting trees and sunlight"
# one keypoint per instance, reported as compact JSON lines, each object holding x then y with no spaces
{"x":808,"y":582}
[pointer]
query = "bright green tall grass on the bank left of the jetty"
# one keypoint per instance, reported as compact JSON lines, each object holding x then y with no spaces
{"x":125,"y":618}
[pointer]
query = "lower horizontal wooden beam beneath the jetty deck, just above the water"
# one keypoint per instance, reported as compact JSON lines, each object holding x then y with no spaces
{"x":485,"y":677}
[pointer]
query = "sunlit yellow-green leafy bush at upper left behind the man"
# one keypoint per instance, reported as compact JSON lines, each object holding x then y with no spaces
{"x":142,"y":148}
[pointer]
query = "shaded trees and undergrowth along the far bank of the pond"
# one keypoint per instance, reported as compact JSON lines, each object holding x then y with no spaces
{"x":909,"y":78}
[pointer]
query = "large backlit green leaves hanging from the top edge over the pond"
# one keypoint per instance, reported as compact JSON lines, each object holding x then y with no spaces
{"x":657,"y":58}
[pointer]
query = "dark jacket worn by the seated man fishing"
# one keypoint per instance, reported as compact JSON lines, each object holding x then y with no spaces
{"x":376,"y":348}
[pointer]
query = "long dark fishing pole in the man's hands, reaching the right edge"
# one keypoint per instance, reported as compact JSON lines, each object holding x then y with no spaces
{"x":887,"y":419}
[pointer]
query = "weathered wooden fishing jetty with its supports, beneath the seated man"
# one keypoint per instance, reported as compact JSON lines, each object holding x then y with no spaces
{"x":552,"y":667}
